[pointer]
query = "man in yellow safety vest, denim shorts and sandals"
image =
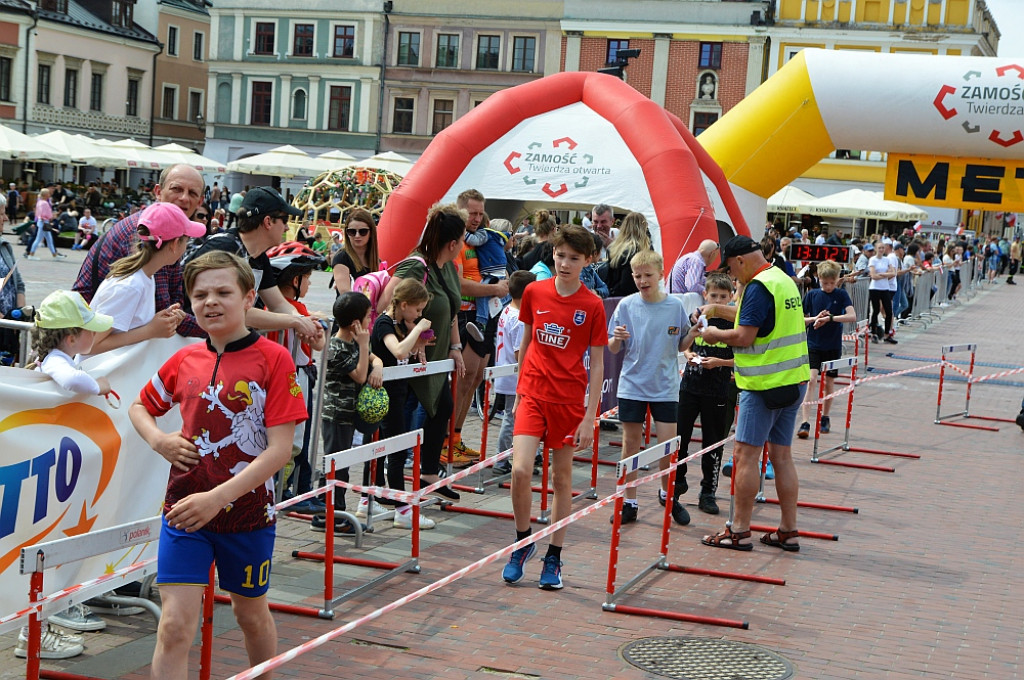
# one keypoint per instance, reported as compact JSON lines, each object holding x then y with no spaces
{"x":770,"y":344}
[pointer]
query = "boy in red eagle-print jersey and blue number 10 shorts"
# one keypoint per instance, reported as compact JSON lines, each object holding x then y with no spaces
{"x":240,"y":404}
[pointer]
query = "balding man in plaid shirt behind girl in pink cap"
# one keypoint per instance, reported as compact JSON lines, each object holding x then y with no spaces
{"x":181,"y":185}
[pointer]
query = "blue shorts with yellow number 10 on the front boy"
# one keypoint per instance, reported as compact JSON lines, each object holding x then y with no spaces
{"x":243,"y":560}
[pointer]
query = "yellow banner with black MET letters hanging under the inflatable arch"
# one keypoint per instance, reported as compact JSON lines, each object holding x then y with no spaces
{"x":972,"y":184}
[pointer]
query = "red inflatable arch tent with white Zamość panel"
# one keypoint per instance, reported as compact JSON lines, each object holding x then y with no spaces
{"x":672,"y":162}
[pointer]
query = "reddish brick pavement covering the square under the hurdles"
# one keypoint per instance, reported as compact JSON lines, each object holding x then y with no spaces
{"x":924,"y":581}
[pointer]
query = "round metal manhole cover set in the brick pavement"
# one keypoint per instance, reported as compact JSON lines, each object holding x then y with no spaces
{"x":706,"y":659}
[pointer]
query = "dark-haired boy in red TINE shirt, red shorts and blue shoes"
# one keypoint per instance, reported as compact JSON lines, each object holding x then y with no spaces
{"x":562,"y":321}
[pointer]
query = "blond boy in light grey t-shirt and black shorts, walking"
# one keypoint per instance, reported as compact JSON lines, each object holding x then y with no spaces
{"x":651,"y":326}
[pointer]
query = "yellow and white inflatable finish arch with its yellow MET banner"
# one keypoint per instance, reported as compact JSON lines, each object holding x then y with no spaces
{"x":954,"y":127}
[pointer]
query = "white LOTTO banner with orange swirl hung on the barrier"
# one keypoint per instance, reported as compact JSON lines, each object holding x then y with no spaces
{"x":71,"y":464}
